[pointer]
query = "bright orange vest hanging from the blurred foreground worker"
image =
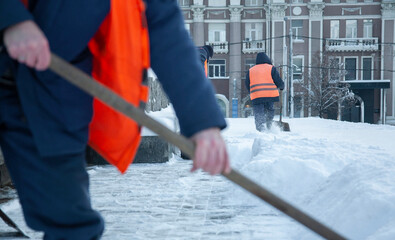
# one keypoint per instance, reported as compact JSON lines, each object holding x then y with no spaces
{"x":121,"y":59}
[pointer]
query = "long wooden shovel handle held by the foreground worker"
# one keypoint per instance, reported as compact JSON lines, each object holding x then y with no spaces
{"x":94,"y":88}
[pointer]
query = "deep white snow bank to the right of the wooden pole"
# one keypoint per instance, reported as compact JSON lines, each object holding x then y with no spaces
{"x":340,"y":173}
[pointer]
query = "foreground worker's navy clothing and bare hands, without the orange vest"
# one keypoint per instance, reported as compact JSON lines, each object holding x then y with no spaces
{"x":44,"y":120}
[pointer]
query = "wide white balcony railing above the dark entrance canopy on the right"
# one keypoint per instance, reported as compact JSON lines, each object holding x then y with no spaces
{"x":352,"y":44}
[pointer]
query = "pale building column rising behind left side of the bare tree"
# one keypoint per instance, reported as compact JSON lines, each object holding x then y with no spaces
{"x":315,"y":43}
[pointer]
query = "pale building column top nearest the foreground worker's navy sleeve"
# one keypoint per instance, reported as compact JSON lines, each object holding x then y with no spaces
{"x":198,"y":22}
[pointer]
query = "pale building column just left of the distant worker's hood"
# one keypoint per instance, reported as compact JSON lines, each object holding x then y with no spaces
{"x":235,"y":58}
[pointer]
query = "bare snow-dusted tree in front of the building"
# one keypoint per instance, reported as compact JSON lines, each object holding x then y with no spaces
{"x":324,"y":85}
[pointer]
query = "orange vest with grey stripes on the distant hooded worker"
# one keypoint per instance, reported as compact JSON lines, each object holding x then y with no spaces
{"x":261,"y":82}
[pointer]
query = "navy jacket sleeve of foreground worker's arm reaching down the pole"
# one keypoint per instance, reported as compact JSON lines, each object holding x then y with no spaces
{"x":174,"y":60}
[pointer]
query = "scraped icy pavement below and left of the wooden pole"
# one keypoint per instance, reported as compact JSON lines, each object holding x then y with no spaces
{"x":166,"y":201}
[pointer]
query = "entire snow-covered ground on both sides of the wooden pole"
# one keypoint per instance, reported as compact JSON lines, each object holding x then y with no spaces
{"x":341,"y":173}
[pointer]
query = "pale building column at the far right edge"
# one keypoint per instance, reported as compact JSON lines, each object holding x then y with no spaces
{"x":388,"y":60}
